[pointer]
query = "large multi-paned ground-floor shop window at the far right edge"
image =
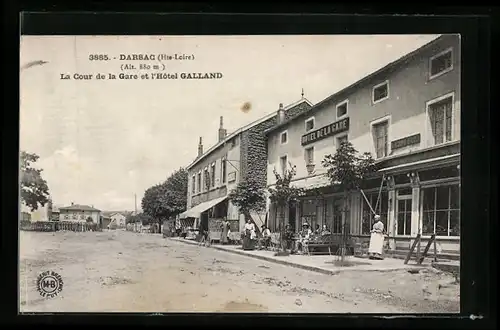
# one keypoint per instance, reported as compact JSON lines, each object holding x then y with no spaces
{"x":441,"y":210}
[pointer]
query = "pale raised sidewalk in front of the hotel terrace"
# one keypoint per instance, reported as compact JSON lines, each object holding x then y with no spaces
{"x":322,"y":264}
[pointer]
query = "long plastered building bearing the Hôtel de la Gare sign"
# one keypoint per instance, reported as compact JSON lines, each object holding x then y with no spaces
{"x":407,"y":115}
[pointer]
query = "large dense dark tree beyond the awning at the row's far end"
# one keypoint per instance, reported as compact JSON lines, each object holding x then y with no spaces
{"x":167,"y":199}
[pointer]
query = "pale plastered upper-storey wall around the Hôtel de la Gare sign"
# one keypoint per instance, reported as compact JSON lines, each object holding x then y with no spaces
{"x":409,"y":90}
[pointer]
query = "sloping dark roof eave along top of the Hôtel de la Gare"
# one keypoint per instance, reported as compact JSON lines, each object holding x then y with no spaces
{"x":359,"y":82}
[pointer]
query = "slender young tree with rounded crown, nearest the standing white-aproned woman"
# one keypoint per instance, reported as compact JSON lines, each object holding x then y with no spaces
{"x":347,"y":169}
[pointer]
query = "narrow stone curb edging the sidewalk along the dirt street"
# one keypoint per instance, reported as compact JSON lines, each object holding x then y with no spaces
{"x":296,"y":265}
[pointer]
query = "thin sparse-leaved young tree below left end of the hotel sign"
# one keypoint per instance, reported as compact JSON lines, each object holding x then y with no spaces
{"x":282,"y":194}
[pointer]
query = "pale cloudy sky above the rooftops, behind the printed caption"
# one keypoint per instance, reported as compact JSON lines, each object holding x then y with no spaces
{"x":101,"y":142}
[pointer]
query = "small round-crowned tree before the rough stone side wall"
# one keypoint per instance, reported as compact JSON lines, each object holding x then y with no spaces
{"x":249,"y":196}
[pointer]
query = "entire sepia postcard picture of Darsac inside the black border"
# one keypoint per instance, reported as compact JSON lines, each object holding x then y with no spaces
{"x":240,"y":173}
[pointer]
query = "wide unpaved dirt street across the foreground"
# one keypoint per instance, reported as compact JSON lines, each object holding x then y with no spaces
{"x":131,"y":272}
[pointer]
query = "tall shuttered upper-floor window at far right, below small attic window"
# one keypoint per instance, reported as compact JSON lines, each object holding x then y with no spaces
{"x":440,"y":117}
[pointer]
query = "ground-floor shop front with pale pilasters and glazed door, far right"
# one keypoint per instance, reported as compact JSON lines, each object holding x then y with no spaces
{"x":425,"y":201}
